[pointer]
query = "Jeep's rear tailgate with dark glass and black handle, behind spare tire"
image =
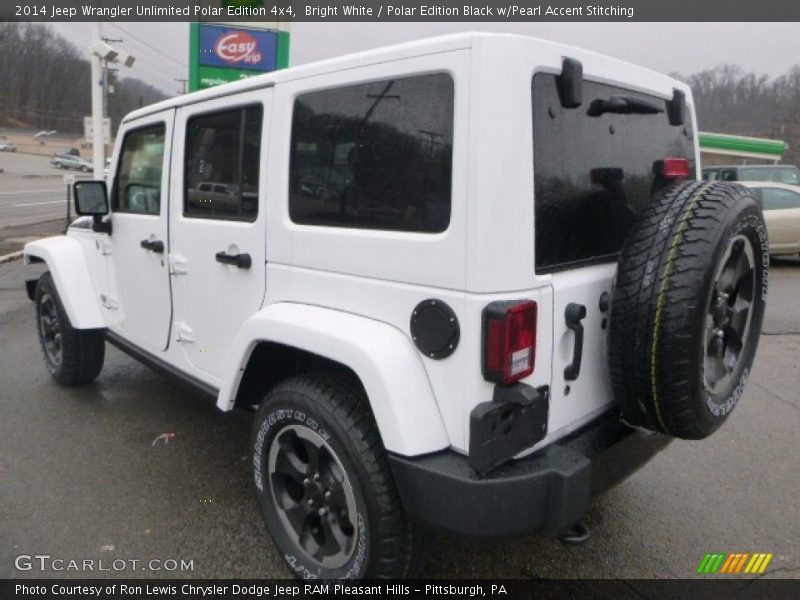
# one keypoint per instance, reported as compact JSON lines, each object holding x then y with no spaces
{"x":592,"y":176}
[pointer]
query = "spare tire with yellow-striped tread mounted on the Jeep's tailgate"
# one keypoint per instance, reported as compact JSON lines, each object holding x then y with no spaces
{"x":687,"y":308}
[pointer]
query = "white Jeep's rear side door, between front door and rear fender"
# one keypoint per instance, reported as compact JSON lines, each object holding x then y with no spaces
{"x":217,"y":232}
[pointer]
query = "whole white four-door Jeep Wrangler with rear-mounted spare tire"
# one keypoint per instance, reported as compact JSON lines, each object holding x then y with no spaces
{"x":468,"y":283}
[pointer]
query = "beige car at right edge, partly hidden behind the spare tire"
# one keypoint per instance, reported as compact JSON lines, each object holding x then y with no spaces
{"x":781,"y":205}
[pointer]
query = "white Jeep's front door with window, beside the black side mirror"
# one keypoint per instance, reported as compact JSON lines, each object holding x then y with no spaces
{"x":138,"y":300}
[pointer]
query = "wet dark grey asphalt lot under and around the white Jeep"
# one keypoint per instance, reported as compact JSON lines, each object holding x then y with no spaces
{"x":80,"y":477}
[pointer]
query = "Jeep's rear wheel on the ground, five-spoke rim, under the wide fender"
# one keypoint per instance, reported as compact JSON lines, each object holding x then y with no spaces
{"x":324,"y":484}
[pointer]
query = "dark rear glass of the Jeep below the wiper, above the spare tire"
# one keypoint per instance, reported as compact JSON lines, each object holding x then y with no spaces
{"x":594,"y":174}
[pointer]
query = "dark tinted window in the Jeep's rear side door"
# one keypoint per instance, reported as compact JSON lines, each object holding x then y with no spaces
{"x":222,"y":164}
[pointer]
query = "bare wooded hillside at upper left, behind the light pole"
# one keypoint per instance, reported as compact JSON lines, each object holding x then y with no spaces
{"x":45,"y":82}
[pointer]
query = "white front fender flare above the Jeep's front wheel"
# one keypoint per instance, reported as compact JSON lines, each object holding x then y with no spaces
{"x":67,"y":265}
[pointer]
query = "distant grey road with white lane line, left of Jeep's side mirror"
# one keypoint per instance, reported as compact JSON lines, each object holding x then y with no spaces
{"x":31,"y":190}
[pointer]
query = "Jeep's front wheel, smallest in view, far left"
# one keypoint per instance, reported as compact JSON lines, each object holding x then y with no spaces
{"x":81,"y":352}
